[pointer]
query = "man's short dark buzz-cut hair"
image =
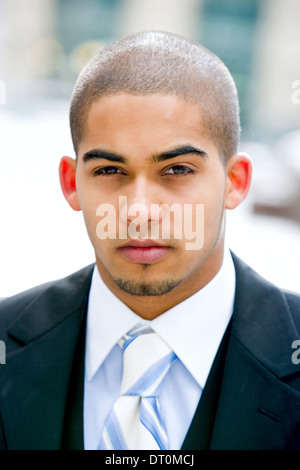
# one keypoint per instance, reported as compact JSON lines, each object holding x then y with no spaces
{"x":159,"y":62}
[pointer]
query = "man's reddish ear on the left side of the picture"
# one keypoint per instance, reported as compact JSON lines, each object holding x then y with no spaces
{"x":67,"y":176}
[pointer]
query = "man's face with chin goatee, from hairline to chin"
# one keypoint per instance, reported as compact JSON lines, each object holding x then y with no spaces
{"x":151,"y":150}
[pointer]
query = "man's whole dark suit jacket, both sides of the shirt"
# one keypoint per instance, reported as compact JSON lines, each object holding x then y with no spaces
{"x":258,"y":404}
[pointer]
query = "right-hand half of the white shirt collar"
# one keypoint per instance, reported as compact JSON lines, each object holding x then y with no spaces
{"x":194,"y":328}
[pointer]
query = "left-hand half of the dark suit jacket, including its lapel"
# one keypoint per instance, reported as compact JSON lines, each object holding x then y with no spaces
{"x":42,"y":348}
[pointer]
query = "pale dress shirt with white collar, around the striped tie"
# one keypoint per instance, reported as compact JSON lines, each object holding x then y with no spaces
{"x":194,"y":329}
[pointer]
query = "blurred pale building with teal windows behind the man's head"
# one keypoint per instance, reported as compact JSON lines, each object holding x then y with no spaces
{"x":45,"y":43}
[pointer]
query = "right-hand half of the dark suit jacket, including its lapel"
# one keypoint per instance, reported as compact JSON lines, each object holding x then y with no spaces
{"x":256,"y":408}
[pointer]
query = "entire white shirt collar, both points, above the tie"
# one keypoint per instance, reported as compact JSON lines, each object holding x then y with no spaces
{"x":194,"y":328}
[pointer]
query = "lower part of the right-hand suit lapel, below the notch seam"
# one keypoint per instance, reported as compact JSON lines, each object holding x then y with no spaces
{"x":256,"y":411}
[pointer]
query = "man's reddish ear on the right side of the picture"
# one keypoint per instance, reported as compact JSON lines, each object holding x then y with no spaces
{"x":238,"y":180}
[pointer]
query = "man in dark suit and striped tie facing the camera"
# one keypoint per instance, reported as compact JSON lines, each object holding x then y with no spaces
{"x":155,"y":126}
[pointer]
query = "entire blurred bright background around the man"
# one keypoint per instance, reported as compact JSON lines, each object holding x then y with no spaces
{"x":43,"y":46}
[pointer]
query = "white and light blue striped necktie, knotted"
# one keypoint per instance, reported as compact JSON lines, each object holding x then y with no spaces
{"x":135,"y":421}
